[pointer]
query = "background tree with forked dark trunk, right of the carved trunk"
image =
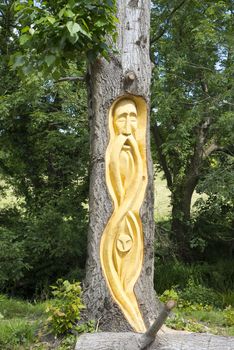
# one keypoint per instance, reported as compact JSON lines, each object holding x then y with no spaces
{"x":192,"y":107}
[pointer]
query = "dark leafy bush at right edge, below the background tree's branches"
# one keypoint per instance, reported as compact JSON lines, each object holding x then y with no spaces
{"x":213,"y":222}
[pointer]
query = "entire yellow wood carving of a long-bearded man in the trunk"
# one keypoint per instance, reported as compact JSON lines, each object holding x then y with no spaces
{"x":122,"y":243}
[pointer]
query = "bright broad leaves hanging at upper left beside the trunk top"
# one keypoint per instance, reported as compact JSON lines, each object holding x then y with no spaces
{"x":54,"y":33}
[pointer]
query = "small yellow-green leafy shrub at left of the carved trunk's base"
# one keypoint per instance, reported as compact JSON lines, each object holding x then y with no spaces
{"x":66,"y":308}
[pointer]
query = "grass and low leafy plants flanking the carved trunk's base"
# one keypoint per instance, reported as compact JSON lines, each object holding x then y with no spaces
{"x":43,"y":325}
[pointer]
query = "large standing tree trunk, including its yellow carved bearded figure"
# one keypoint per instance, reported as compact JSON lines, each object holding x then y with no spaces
{"x":126,"y":76}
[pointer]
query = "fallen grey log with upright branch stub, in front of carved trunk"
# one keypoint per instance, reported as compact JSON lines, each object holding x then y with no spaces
{"x":165,"y":339}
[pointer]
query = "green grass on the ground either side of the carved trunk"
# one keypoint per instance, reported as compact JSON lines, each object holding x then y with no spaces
{"x":22,"y":324}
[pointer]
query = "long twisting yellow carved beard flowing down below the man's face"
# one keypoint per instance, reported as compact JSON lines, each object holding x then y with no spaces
{"x":121,"y":248}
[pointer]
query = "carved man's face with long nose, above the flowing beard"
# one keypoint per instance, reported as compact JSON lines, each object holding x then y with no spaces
{"x":125,"y":118}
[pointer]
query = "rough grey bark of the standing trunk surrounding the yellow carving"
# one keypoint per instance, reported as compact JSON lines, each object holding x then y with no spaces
{"x":127,"y":72}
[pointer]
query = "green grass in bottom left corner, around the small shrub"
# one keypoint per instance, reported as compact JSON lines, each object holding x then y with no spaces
{"x":22,"y":326}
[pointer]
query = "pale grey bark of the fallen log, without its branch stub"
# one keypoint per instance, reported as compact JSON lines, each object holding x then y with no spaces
{"x":171,"y":340}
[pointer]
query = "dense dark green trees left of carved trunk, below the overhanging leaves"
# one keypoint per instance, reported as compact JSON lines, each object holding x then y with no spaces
{"x":44,"y":159}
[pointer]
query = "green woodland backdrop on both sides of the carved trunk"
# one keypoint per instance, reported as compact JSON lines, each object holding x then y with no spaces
{"x":44,"y":144}
